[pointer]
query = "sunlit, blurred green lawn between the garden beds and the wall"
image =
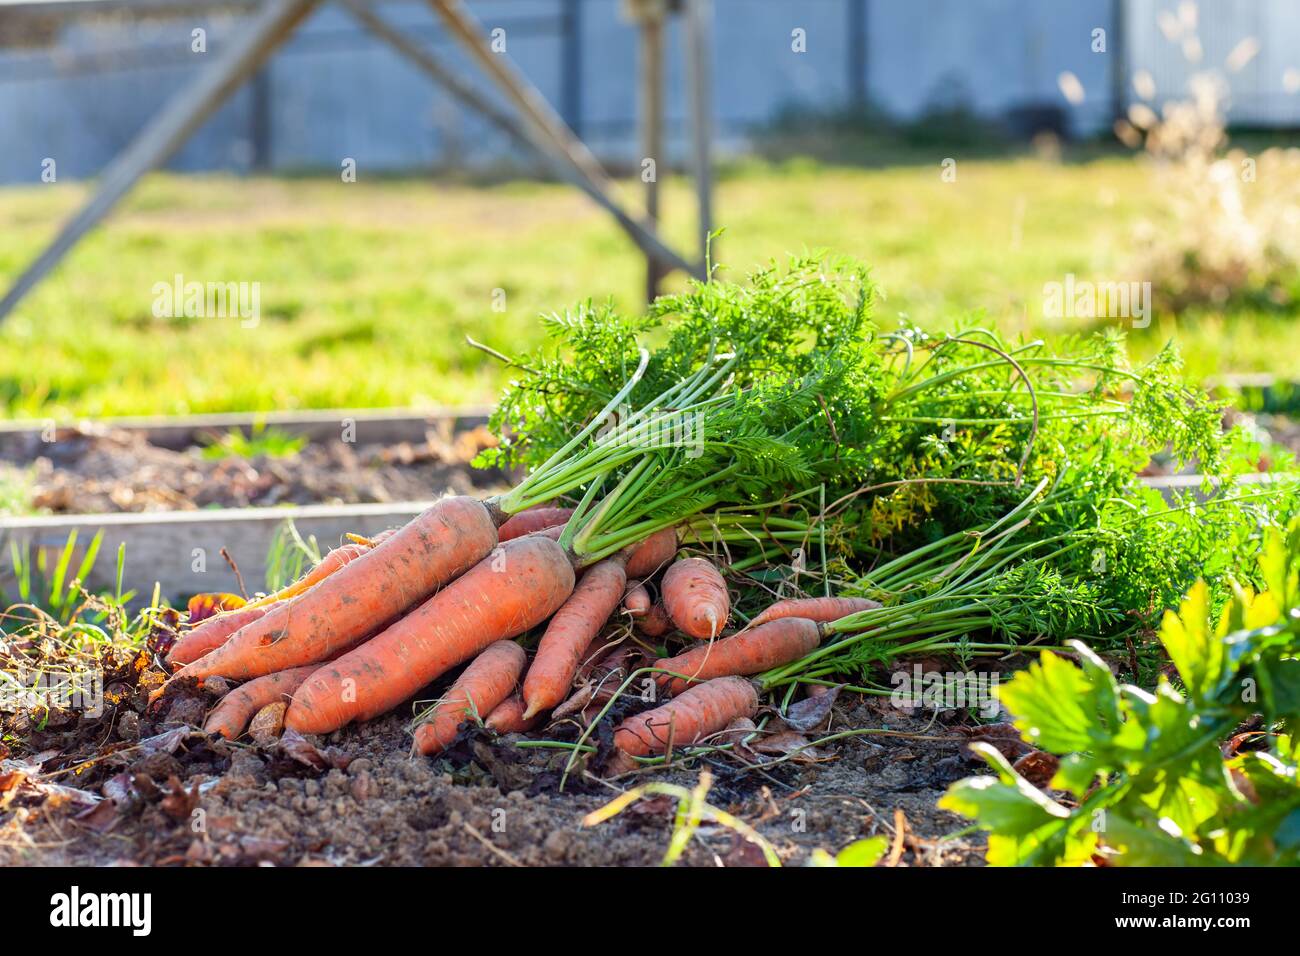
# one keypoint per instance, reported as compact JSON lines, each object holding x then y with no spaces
{"x":370,"y":289}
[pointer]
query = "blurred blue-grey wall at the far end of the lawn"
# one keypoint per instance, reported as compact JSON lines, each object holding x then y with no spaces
{"x":333,"y":92}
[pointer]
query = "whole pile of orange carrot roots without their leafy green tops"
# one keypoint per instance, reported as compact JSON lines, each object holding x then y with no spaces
{"x":380,"y":620}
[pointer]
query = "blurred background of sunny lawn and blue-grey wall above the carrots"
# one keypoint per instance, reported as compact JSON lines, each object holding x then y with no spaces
{"x":973,"y":153}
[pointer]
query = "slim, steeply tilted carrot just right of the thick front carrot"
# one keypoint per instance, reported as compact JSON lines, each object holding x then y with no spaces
{"x":573,"y":629}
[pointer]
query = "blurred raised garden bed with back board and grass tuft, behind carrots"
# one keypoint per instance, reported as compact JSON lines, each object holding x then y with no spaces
{"x":187,"y":465}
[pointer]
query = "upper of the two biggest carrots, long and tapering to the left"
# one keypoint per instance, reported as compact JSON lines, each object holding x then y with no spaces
{"x":375,"y":589}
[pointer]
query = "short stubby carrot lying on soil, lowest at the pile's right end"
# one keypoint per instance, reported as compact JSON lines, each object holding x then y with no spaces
{"x":701,"y":711}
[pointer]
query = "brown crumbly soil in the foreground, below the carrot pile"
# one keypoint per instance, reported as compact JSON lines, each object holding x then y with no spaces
{"x":359,"y":798}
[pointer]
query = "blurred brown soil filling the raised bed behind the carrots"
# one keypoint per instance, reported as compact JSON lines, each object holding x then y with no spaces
{"x":116,"y":470}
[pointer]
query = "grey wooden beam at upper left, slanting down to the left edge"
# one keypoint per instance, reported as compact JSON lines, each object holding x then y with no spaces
{"x":183,"y":115}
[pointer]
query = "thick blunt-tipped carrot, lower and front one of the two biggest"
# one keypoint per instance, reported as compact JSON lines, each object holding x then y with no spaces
{"x":518,"y":587}
